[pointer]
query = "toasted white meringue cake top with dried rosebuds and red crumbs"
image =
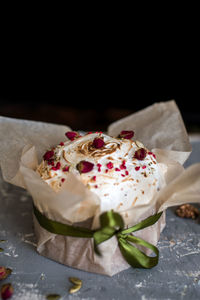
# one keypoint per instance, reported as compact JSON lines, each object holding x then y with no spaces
{"x":121,"y":171}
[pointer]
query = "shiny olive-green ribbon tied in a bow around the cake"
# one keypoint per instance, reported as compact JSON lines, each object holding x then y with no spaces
{"x":111,"y":223}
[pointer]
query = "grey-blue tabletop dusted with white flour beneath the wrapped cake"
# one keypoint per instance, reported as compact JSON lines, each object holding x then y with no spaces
{"x":177,"y":275}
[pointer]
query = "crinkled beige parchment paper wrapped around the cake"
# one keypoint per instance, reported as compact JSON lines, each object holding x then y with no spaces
{"x":159,"y":127}
